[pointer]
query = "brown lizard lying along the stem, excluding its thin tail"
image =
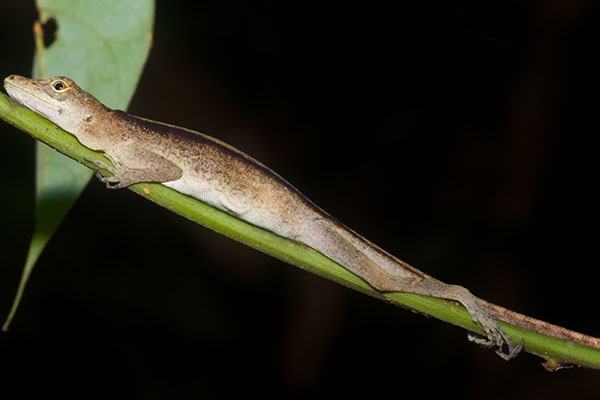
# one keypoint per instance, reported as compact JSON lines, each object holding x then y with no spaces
{"x":214,"y":172}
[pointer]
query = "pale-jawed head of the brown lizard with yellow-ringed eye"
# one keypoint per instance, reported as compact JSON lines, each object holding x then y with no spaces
{"x":58,"y":99}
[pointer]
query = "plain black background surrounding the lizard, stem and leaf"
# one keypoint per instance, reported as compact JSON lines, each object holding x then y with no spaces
{"x":459,"y":136}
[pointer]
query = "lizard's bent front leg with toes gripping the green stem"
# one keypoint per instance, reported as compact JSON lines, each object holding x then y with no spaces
{"x":146,"y":167}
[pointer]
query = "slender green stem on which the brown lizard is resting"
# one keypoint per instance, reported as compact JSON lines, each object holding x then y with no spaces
{"x":556,"y":351}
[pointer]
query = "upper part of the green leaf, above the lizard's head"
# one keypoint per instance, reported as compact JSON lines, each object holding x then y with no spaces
{"x":102,"y":45}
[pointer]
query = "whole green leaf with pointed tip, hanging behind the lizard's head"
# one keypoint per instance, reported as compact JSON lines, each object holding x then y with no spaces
{"x":103,"y":46}
